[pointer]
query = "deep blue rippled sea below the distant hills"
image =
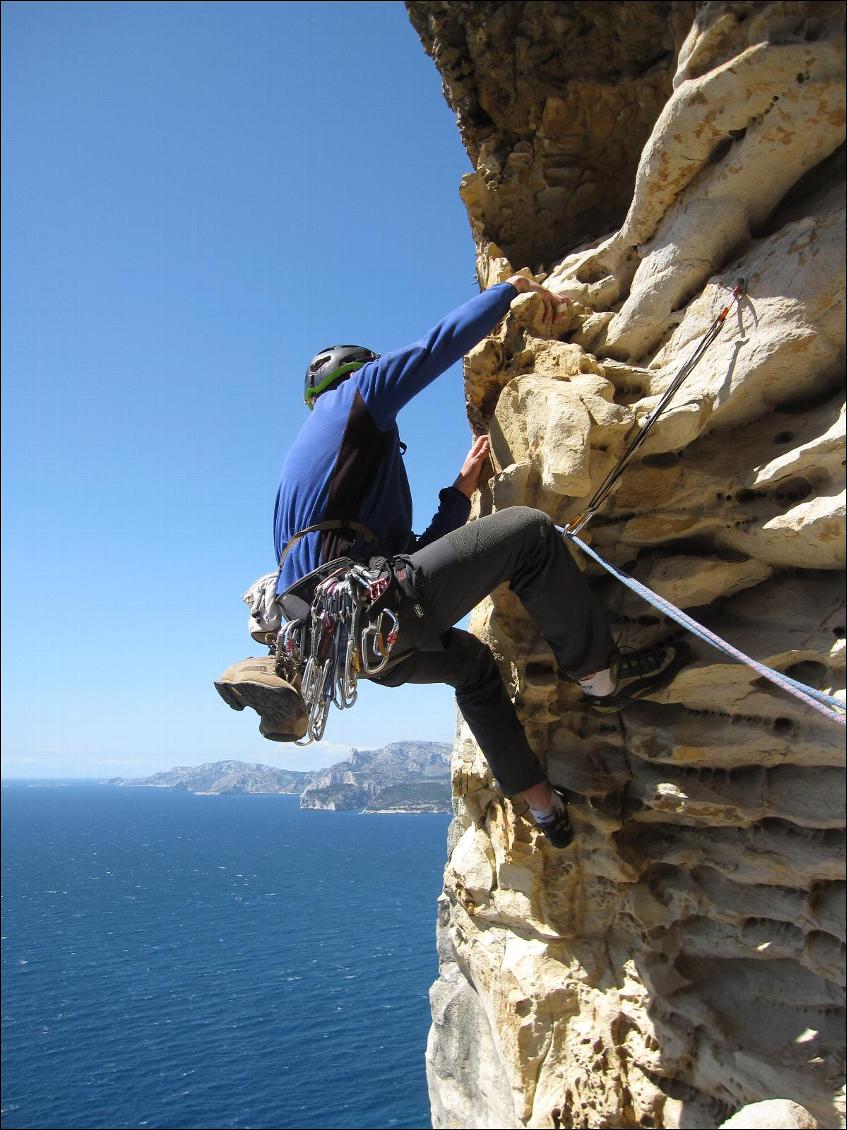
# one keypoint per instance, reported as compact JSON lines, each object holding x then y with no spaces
{"x":176,"y":961}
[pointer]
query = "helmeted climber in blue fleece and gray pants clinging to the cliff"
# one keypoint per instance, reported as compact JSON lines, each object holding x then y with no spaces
{"x":346,"y":464}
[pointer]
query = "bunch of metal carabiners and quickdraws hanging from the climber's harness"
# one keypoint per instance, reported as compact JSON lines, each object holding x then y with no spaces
{"x":334,"y":646}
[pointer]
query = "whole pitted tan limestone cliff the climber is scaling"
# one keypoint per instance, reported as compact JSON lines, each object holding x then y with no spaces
{"x":685,"y":959}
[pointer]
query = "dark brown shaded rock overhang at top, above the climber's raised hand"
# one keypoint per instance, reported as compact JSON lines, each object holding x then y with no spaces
{"x":555,"y":102}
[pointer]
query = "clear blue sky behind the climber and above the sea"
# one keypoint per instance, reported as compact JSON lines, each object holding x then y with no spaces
{"x":197,"y":197}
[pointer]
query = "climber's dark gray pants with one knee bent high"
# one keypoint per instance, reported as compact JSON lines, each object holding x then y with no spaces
{"x":520,"y":546}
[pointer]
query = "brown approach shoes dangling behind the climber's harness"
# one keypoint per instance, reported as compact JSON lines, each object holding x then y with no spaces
{"x":255,"y":683}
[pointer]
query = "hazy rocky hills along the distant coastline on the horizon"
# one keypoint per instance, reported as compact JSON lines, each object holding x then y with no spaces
{"x":408,"y":777}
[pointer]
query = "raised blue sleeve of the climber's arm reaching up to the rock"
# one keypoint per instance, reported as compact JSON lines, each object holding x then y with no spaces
{"x":392,"y":380}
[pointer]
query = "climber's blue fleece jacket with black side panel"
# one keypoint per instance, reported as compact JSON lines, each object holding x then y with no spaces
{"x":347,"y":460}
